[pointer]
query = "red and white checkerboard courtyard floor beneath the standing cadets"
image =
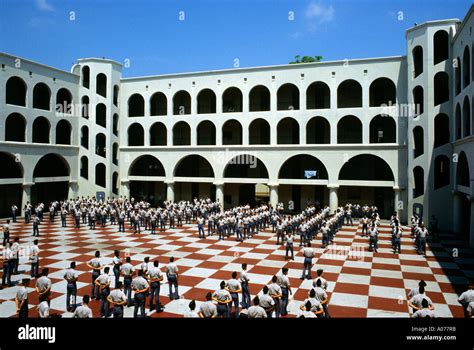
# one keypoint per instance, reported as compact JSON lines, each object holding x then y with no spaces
{"x":360,"y":283}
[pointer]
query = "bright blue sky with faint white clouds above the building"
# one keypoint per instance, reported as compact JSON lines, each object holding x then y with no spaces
{"x":213,"y":34}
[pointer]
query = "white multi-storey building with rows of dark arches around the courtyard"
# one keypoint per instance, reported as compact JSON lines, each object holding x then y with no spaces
{"x":244,"y":134}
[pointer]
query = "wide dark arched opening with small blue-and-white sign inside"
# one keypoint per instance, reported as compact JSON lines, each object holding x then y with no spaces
{"x":303,"y":166}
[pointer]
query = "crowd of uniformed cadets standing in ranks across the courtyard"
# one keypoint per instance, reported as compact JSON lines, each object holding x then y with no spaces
{"x":135,"y":287}
